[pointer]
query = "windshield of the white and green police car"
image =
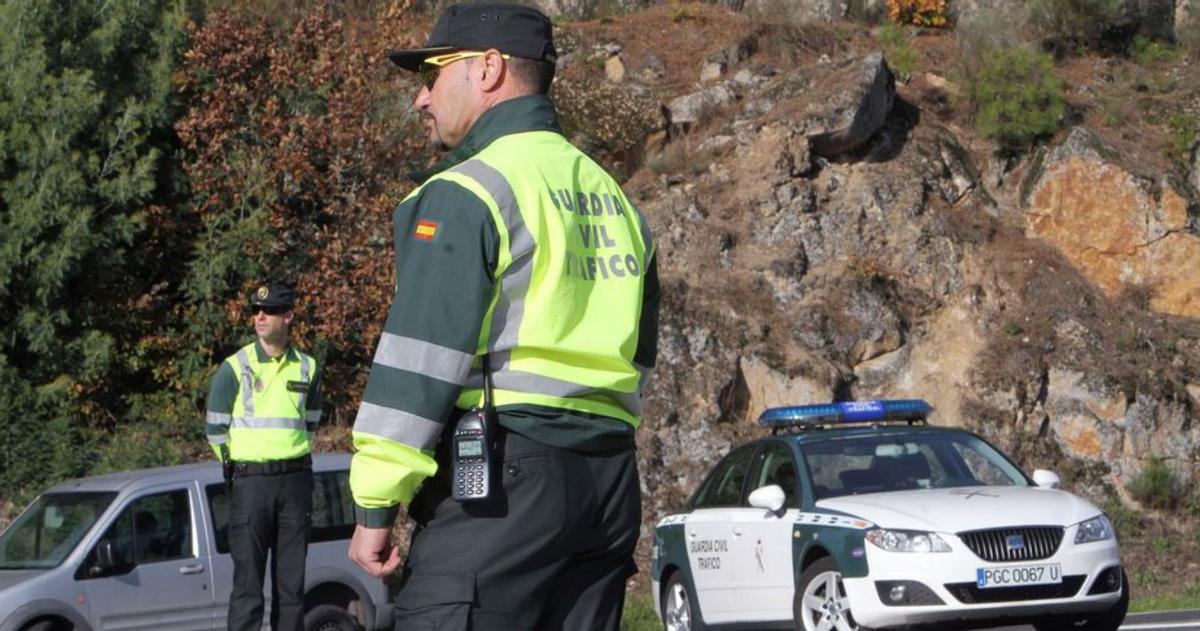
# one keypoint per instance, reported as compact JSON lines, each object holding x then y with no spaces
{"x":883,"y":464}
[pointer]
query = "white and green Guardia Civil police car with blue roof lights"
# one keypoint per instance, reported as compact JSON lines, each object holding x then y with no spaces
{"x":857,"y":516}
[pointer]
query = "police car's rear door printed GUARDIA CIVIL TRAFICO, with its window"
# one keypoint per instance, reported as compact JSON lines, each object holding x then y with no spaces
{"x":710,"y":536}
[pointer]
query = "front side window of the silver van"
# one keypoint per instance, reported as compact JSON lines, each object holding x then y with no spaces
{"x":152,"y":530}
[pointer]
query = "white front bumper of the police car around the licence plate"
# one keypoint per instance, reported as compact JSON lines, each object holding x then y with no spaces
{"x":952,"y":578}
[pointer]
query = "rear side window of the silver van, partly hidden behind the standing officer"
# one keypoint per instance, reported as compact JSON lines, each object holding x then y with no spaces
{"x":333,"y":510}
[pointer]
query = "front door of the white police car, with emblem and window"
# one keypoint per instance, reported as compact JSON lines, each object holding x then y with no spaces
{"x":763,"y":549}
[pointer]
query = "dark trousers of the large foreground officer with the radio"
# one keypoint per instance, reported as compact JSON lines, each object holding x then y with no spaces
{"x":551,"y":550}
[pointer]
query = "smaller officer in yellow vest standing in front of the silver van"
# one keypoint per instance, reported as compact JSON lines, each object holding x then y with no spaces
{"x":263,"y":410}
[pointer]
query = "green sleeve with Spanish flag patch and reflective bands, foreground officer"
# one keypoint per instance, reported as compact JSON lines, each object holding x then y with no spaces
{"x":447,"y":248}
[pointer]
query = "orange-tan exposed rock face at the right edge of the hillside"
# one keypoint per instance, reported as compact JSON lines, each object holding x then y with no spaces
{"x":1119,"y":229}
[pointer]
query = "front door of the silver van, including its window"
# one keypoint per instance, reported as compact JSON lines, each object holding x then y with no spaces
{"x":159,"y":580}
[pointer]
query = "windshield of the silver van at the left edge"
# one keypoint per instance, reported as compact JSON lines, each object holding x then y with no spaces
{"x":50,"y":530}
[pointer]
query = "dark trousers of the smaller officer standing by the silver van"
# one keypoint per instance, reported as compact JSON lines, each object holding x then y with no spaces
{"x":269,"y":513}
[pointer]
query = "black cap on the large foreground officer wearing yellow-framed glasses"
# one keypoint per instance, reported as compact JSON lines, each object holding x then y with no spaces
{"x":512,"y":29}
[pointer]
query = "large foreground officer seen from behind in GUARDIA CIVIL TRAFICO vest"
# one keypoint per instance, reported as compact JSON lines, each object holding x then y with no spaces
{"x":520,"y":263}
